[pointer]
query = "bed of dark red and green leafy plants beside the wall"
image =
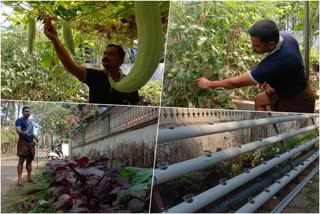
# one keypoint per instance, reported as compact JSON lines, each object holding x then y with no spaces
{"x":85,"y":186}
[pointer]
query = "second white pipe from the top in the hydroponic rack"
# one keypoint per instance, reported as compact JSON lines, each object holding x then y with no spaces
{"x":185,"y":167}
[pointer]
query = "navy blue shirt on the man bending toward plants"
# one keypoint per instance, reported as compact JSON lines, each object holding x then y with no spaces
{"x":283,"y":70}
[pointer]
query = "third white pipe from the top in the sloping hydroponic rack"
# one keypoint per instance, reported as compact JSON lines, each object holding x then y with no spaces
{"x":218,"y":191}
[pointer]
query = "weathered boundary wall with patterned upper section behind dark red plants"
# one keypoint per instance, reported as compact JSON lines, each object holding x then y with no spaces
{"x":125,"y":134}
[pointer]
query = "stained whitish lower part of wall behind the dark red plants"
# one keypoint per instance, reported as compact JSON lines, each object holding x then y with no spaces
{"x":135,"y":147}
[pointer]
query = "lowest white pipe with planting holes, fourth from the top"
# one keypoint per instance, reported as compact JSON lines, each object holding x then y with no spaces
{"x":264,"y":196}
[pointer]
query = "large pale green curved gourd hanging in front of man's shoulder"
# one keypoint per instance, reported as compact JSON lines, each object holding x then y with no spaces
{"x":150,"y":44}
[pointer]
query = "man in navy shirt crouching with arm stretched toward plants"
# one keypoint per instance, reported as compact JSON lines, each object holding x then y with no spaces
{"x":281,"y":72}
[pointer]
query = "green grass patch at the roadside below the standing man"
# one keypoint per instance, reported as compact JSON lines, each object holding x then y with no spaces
{"x":17,"y":201}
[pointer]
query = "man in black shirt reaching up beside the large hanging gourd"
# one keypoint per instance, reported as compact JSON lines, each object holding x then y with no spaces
{"x":100,"y":90}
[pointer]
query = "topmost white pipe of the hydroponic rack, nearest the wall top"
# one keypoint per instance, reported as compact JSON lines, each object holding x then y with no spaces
{"x":183,"y":132}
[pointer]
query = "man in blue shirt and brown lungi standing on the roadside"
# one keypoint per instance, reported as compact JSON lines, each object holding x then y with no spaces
{"x":25,"y":147}
